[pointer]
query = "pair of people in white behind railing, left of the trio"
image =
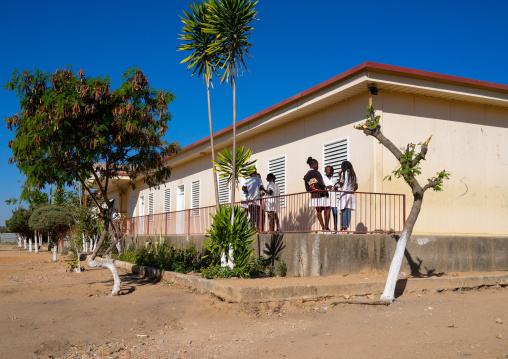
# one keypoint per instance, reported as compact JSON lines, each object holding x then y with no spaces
{"x":252,"y":190}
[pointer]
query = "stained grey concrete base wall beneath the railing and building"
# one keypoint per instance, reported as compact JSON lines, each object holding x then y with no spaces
{"x":308,"y":254}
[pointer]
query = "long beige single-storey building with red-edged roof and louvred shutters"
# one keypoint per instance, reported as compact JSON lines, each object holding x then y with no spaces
{"x":467,"y":118}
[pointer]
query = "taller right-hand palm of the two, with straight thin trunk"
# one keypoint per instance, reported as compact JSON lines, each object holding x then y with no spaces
{"x":229,"y":22}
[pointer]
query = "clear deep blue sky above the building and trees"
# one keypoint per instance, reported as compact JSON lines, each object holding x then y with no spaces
{"x":297,"y":44}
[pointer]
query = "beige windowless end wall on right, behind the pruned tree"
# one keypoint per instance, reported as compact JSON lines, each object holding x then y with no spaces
{"x":470,"y":142}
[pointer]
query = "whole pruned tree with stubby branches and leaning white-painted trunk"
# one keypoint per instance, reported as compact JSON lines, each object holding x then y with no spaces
{"x":409,"y":166}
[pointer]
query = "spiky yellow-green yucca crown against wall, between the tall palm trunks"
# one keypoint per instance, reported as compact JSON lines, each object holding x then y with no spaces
{"x":243,"y":168}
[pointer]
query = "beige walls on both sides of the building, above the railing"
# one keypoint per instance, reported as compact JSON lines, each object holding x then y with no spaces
{"x":469,"y":141}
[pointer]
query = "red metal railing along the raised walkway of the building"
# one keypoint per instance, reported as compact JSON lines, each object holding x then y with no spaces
{"x":293,"y":213}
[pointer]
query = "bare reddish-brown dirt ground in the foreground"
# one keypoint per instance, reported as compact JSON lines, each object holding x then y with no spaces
{"x":47,"y":312}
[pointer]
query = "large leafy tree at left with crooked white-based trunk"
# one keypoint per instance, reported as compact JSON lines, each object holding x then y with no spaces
{"x":73,"y":127}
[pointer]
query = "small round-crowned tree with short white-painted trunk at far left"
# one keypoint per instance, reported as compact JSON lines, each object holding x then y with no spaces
{"x":53,"y":220}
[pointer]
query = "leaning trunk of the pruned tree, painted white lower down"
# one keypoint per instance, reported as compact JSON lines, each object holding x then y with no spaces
{"x":393,"y":273}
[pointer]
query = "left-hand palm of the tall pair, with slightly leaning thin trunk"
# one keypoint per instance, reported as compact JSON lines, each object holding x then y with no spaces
{"x":202,"y":60}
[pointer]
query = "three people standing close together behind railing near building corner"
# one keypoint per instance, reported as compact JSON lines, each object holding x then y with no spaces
{"x":324,"y":200}
